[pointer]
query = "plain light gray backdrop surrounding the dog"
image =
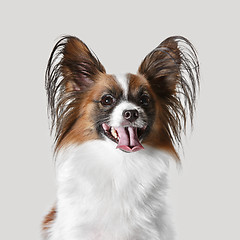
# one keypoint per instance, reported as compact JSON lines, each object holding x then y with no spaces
{"x":205,"y":193}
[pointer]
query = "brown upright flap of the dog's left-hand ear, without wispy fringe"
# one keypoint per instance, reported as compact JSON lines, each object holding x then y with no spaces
{"x":79,"y":67}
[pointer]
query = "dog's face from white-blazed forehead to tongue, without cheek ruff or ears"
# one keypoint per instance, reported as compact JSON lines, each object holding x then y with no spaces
{"x":124,"y":110}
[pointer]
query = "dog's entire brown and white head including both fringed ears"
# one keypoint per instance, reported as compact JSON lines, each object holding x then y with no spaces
{"x":127,"y":110}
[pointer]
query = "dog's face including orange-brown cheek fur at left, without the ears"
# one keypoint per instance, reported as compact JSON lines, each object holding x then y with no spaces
{"x":119,"y":108}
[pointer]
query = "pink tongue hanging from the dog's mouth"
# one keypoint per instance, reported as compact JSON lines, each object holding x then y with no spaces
{"x":128,"y":139}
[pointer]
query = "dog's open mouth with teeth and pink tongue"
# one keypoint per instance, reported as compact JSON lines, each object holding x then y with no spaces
{"x":127,"y":138}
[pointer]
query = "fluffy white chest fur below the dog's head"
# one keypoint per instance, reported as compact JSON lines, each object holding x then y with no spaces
{"x":106,"y":194}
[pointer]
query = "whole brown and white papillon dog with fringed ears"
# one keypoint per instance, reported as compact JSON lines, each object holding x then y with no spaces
{"x":114,"y":136}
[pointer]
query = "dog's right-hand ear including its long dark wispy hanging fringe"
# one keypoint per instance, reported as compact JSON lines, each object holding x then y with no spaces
{"x":172,"y":70}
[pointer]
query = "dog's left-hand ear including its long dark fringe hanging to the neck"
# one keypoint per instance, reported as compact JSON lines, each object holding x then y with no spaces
{"x":71,"y":71}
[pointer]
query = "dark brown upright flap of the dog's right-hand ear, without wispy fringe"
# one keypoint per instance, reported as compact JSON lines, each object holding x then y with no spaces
{"x":161,"y":67}
